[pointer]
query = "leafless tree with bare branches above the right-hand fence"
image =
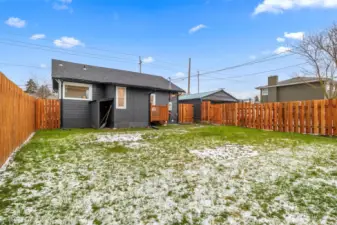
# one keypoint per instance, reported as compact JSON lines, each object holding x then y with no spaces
{"x":320,"y":52}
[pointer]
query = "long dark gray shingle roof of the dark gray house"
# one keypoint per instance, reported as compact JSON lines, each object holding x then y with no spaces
{"x":86,"y":73}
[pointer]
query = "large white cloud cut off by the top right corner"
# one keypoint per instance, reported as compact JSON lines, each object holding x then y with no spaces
{"x":279,"y":6}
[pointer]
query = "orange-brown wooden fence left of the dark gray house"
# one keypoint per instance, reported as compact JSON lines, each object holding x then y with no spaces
{"x":19,"y":117}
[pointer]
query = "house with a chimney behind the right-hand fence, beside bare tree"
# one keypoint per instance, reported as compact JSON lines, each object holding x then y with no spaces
{"x":294,"y":89}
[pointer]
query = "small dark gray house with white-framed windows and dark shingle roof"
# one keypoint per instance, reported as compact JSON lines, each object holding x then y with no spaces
{"x":88,"y":93}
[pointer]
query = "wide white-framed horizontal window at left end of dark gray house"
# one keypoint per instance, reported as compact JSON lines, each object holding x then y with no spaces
{"x":77,"y":91}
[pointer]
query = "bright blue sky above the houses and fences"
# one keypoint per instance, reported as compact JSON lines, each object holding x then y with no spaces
{"x":214,"y":33}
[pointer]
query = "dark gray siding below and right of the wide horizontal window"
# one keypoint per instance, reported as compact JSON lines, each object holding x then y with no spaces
{"x":76,"y":113}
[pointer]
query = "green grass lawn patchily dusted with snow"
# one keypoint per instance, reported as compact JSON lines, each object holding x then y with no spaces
{"x":175,"y":175}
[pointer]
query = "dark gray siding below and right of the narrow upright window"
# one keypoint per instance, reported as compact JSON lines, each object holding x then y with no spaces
{"x":137,"y":110}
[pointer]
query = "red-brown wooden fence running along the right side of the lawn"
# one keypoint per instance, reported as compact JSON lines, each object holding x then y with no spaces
{"x":306,"y":117}
